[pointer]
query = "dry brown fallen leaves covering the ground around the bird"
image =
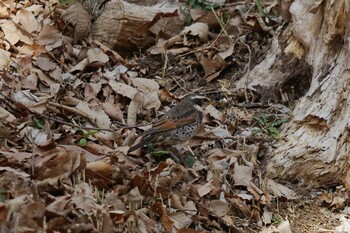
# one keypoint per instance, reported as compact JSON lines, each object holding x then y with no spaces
{"x":66,"y":100}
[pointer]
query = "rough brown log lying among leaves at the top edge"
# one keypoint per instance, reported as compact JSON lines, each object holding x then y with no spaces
{"x":126,"y":26}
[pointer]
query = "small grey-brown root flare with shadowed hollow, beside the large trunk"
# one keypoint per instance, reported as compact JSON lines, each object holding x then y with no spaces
{"x":283,"y":75}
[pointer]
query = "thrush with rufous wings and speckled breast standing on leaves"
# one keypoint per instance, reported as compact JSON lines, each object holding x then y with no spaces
{"x":177,"y":125}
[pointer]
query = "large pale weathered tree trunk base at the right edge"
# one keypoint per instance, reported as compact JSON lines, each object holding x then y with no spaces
{"x":315,"y":145}
